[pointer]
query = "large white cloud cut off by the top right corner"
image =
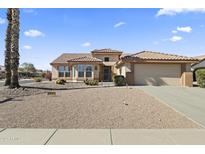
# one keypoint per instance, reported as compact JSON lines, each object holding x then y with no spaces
{"x":172,"y":11}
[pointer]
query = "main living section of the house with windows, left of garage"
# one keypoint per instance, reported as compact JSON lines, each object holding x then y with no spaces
{"x":98,"y":65}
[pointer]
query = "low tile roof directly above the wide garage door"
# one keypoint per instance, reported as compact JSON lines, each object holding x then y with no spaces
{"x":150,"y":55}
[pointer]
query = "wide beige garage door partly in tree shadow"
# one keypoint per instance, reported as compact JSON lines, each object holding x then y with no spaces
{"x":157,"y":74}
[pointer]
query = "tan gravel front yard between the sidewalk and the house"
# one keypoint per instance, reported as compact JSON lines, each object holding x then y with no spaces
{"x":91,"y":108}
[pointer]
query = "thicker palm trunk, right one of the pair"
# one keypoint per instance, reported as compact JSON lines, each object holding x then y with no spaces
{"x":15,"y":48}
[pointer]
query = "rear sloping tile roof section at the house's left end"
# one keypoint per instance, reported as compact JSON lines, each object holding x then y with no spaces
{"x":62,"y":59}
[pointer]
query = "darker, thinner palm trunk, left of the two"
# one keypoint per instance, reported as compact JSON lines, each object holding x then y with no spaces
{"x":8,"y":49}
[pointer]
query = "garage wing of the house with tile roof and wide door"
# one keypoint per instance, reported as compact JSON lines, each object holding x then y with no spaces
{"x":157,"y":69}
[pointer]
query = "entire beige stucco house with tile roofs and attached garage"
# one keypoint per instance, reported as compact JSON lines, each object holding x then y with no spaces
{"x":143,"y":68}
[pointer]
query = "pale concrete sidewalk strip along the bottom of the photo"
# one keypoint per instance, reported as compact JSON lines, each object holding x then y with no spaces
{"x":101,"y":136}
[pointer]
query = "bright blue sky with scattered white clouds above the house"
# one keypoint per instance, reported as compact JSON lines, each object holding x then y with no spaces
{"x":47,"y":33}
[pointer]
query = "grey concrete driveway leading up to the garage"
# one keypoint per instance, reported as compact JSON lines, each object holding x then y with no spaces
{"x":189,"y":101}
